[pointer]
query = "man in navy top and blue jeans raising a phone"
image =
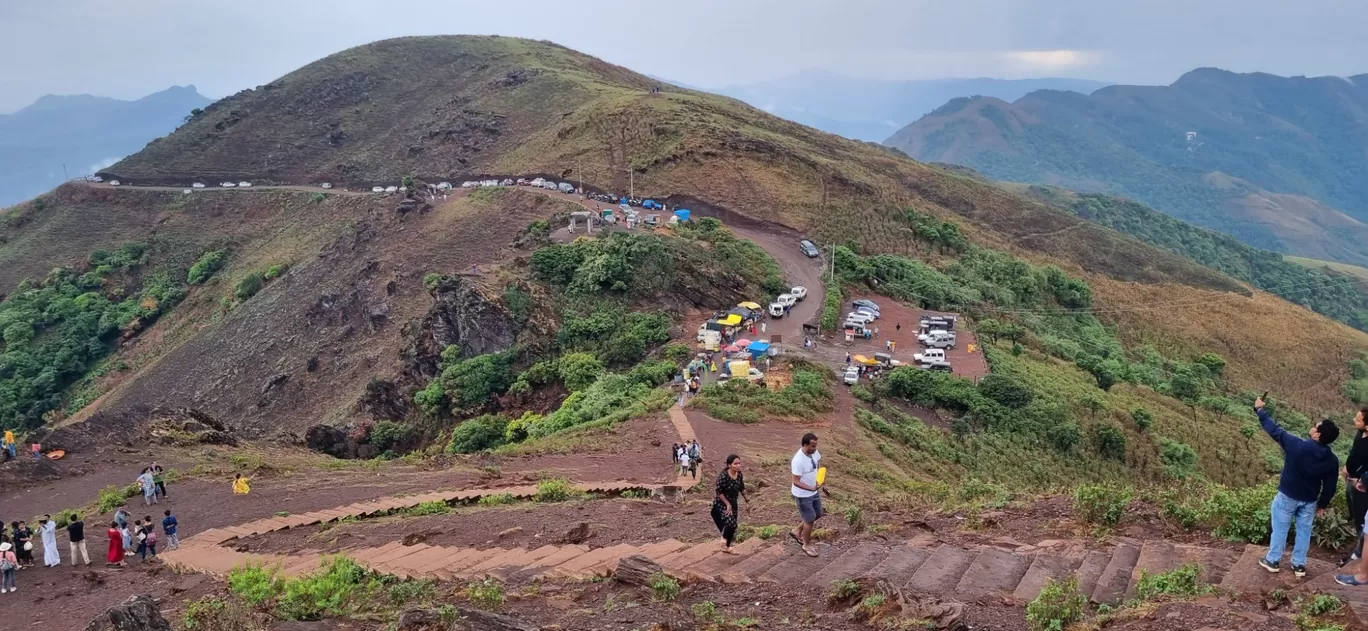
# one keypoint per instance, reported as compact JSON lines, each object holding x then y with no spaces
{"x":1304,"y":489}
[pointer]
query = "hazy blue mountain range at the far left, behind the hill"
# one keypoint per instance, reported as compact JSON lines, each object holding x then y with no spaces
{"x":85,"y":132}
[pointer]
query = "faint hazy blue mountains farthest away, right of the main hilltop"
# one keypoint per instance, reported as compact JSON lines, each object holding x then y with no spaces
{"x":872,"y":110}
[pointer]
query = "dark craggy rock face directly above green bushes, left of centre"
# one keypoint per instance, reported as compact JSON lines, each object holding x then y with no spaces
{"x":460,"y":317}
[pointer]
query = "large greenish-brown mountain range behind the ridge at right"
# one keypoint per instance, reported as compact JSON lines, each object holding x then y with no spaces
{"x":1280,"y":164}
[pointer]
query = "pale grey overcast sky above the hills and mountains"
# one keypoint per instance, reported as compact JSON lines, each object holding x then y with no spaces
{"x":129,"y":49}
